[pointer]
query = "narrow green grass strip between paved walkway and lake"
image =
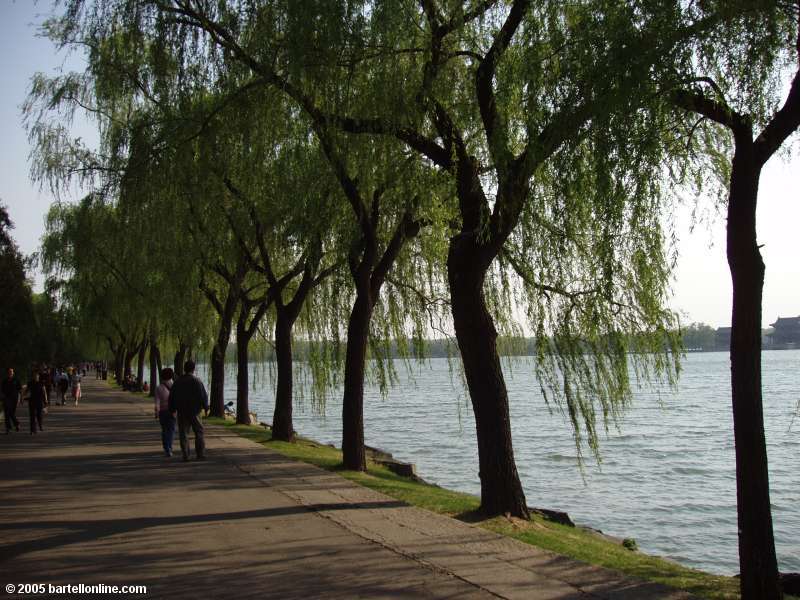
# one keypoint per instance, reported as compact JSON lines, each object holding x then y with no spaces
{"x":573,"y":542}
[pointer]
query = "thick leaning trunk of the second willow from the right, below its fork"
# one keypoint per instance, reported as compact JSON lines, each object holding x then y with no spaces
{"x":501,"y":490}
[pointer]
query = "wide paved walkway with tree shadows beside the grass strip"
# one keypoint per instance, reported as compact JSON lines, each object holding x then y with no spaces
{"x":91,"y":500}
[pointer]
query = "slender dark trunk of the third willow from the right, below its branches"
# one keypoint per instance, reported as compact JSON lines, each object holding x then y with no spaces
{"x":353,"y":455}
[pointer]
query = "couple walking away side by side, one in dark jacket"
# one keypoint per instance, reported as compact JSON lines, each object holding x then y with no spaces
{"x":183,"y":398}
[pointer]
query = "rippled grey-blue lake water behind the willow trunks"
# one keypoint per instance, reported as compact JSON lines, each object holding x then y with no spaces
{"x":667,"y":477}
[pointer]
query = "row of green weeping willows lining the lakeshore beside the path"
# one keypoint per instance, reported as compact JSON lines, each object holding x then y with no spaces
{"x":358,"y":172}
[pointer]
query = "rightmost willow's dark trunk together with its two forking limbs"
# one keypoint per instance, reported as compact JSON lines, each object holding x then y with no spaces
{"x":757,"y":558}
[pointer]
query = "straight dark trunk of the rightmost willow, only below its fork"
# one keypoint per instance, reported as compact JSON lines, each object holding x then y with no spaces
{"x":757,"y":560}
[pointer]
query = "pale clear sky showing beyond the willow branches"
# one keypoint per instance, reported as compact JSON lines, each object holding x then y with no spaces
{"x":701,"y":287}
